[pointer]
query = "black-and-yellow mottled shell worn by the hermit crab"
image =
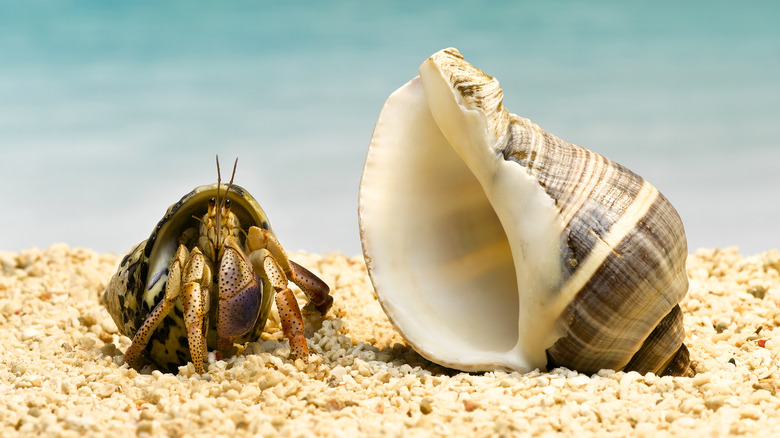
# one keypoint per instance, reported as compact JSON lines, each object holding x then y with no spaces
{"x":139,"y":283}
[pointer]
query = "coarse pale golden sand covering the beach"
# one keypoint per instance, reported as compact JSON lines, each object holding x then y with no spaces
{"x":61,"y":371}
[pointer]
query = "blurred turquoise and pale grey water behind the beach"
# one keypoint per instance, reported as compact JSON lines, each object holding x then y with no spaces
{"x":111,"y":111}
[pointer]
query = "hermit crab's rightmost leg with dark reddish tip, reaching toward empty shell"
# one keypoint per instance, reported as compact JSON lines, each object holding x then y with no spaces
{"x":314,"y":288}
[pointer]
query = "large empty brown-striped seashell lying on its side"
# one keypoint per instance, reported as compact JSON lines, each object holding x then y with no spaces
{"x":493,"y":244}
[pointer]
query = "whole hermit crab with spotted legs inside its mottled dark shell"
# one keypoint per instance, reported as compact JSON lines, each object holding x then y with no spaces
{"x":205,"y":279}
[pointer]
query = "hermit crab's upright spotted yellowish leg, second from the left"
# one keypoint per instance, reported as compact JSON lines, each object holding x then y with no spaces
{"x":197,"y":279}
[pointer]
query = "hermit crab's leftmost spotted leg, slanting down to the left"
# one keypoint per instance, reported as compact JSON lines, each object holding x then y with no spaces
{"x":160,"y":311}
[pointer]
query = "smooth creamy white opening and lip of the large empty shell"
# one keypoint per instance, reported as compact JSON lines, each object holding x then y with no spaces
{"x":462,"y":246}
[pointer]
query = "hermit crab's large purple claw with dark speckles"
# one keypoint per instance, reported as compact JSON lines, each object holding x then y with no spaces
{"x":240,"y":295}
